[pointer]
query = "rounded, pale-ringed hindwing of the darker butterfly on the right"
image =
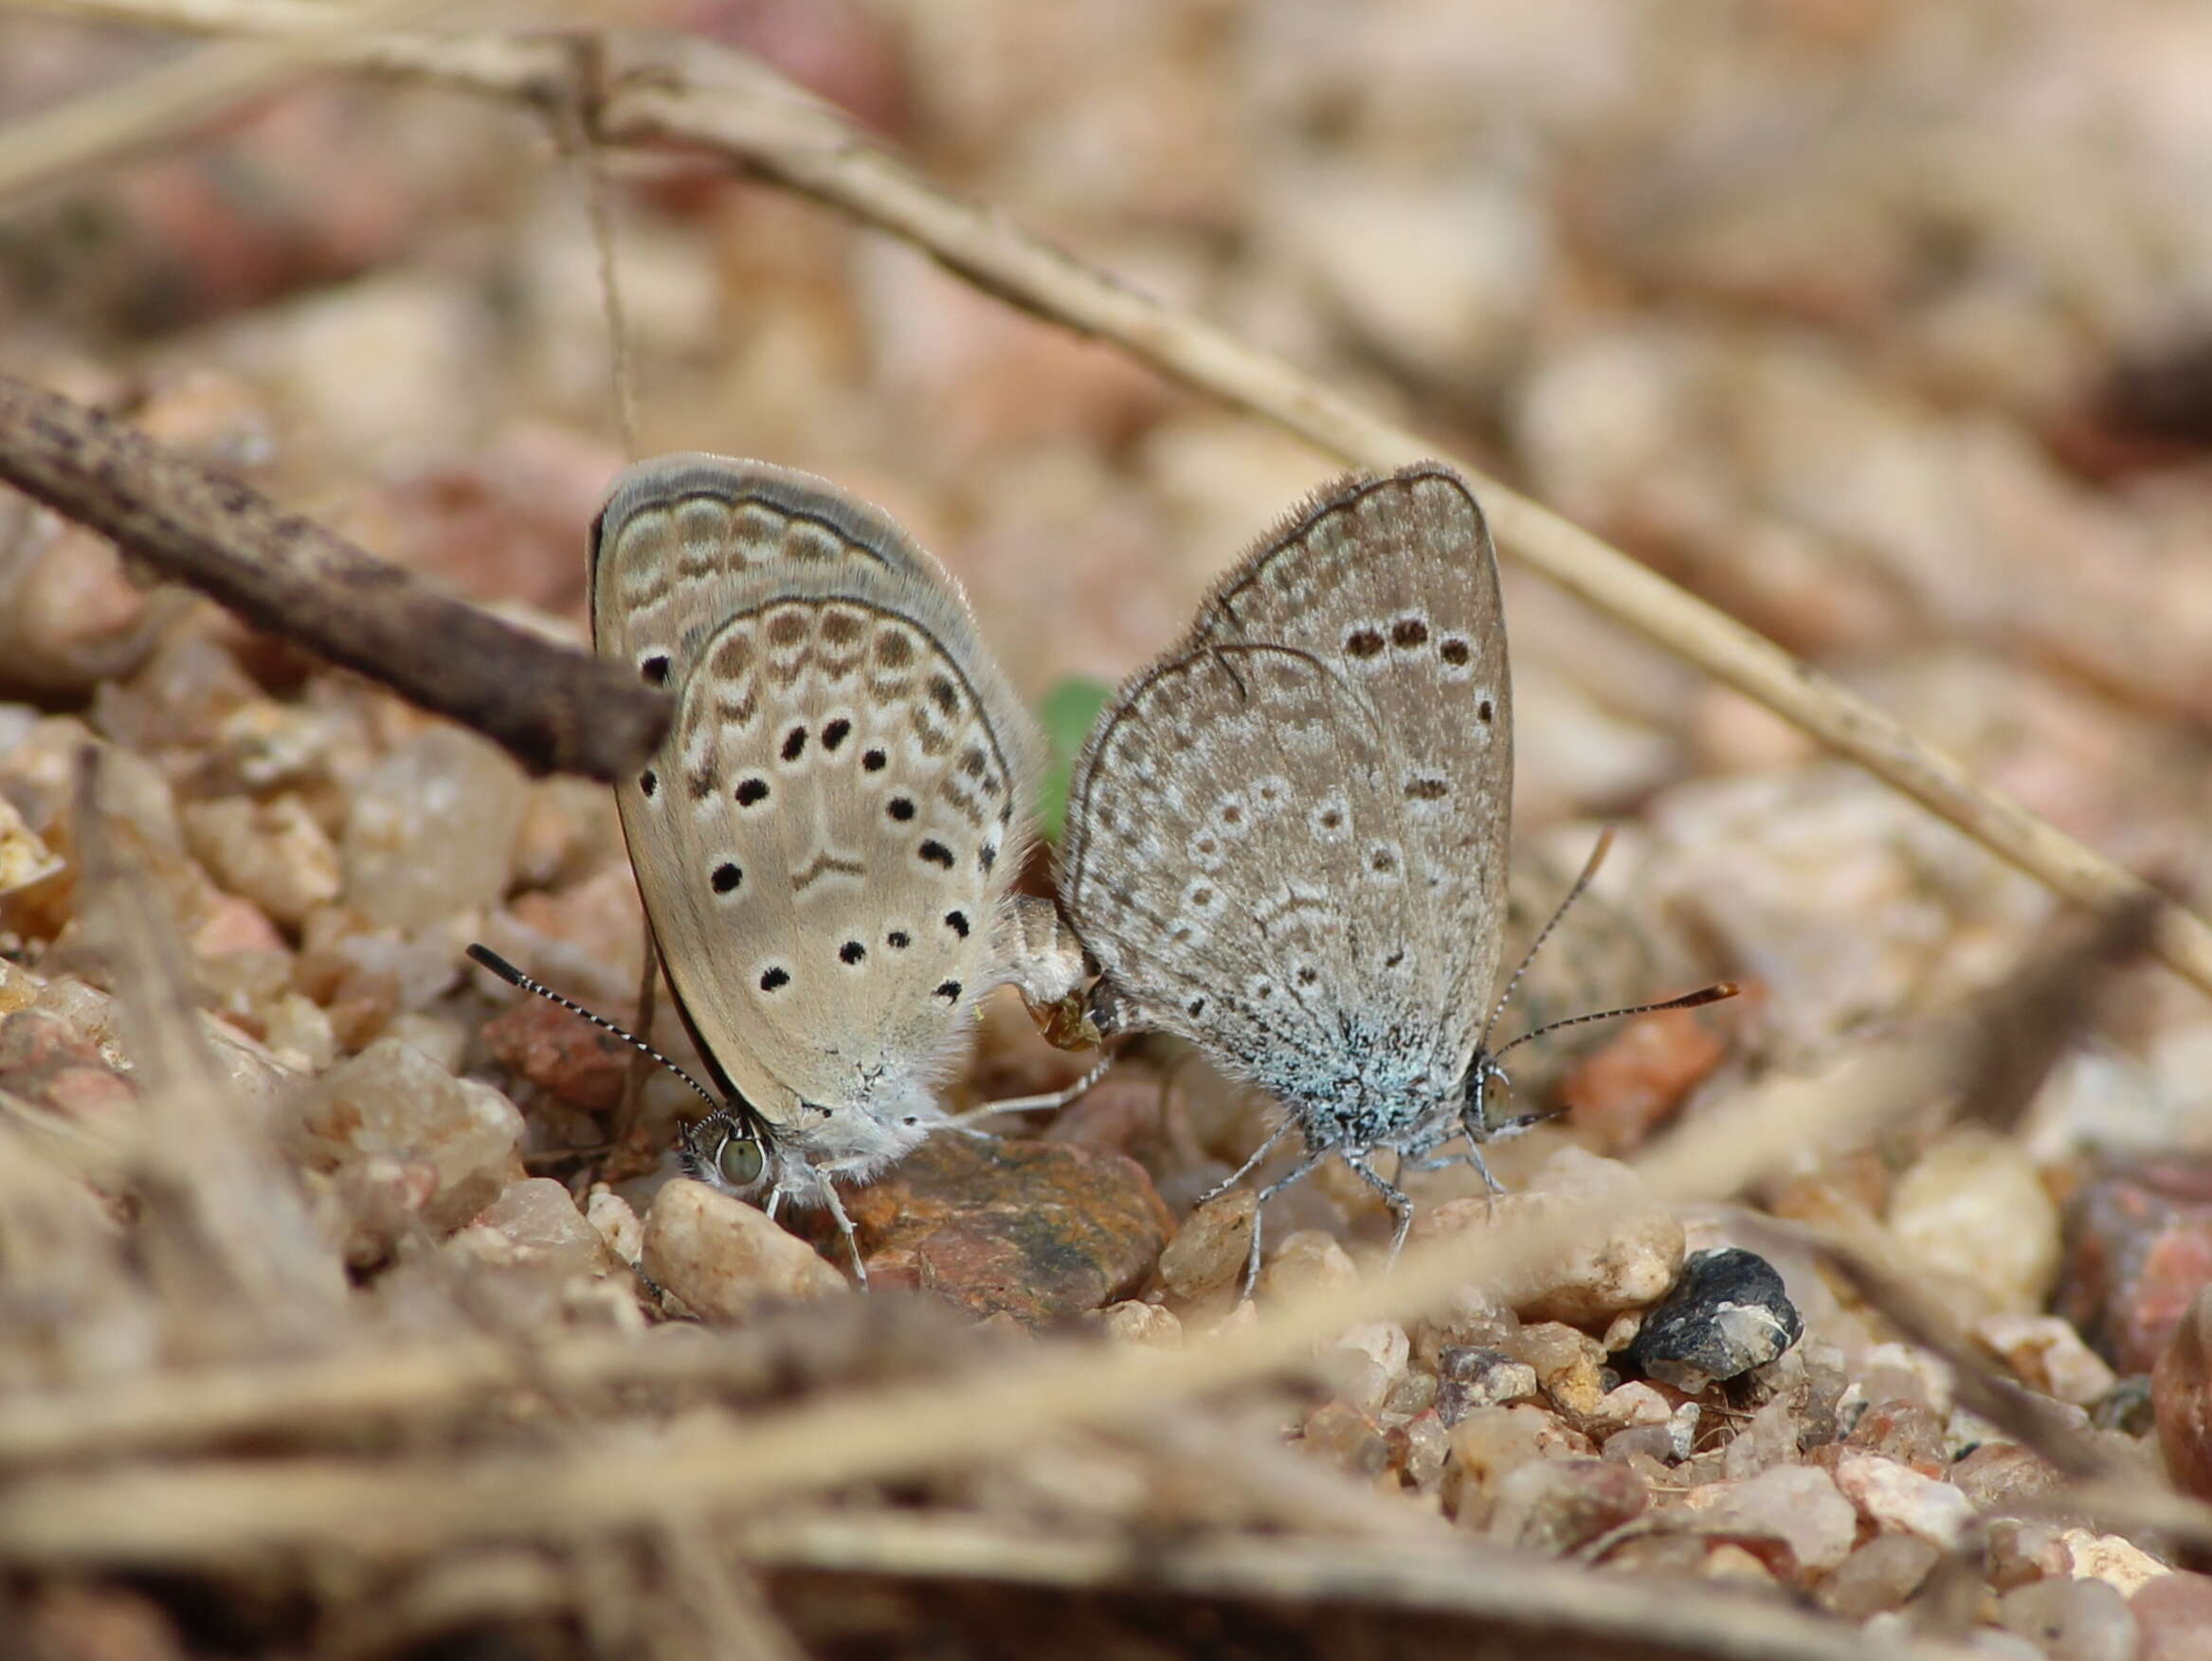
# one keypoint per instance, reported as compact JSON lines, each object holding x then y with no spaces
{"x":1222,"y":892}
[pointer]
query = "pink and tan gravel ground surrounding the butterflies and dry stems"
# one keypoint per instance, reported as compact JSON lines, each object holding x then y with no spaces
{"x":1881,"y":324}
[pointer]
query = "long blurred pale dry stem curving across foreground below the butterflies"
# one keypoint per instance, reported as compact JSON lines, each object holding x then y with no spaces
{"x":216,"y":1512}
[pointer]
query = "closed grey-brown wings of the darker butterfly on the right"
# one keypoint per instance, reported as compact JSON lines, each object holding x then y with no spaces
{"x":1286,"y":839}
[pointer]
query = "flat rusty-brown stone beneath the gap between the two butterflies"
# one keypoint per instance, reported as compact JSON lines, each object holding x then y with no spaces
{"x":1036,"y":1231}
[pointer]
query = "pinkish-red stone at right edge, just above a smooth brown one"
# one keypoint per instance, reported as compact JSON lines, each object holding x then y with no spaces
{"x":2138,"y":1249}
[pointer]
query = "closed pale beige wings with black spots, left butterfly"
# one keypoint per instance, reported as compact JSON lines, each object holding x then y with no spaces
{"x":828,"y":835}
